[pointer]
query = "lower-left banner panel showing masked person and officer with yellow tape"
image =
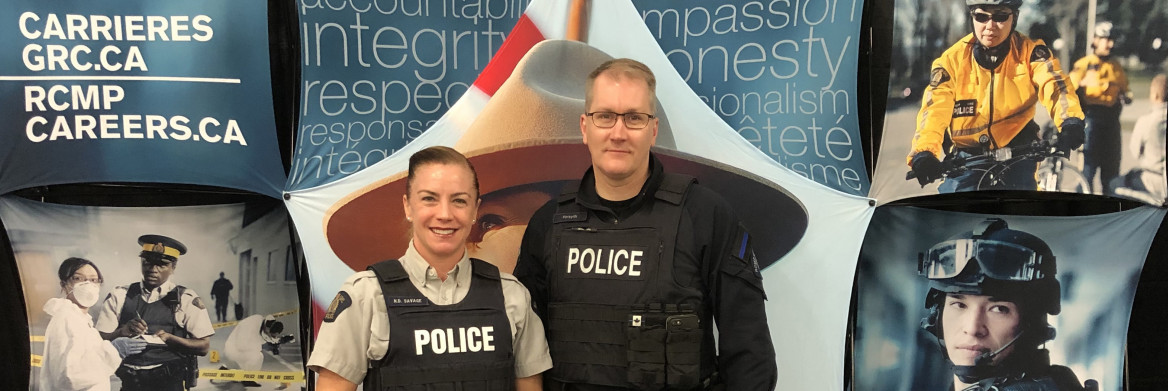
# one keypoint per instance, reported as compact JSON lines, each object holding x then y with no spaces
{"x":238,"y":273}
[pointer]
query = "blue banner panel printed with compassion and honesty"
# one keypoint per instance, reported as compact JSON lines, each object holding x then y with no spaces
{"x":780,"y":73}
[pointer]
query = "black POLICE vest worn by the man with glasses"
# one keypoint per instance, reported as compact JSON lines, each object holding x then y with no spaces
{"x":616,"y":315}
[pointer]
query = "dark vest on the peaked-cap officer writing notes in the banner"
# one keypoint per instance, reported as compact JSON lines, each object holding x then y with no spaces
{"x":159,"y":316}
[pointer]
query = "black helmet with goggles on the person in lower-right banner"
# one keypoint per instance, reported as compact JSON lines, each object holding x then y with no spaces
{"x":992,"y":261}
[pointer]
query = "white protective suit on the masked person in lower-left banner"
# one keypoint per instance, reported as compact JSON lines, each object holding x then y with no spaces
{"x":75,"y":355}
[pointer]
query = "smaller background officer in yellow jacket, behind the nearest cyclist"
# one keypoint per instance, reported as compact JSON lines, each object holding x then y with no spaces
{"x":1103,"y":90}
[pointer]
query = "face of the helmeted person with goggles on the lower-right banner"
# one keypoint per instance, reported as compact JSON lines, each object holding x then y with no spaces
{"x":976,"y":325}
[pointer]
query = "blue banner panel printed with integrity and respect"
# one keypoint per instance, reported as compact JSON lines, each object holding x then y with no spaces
{"x":377,"y":75}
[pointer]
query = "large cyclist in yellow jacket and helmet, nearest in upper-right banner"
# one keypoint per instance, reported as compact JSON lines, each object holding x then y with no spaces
{"x":982,"y":97}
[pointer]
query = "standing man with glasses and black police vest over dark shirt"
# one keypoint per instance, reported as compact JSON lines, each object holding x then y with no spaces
{"x":631,"y":267}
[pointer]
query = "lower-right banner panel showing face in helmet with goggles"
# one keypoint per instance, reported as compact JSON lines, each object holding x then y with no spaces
{"x":945,"y":294}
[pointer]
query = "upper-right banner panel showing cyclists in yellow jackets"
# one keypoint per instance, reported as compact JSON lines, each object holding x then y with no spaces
{"x":953,"y":125}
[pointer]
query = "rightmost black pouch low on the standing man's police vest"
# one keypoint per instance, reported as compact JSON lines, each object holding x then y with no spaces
{"x":683,"y":352}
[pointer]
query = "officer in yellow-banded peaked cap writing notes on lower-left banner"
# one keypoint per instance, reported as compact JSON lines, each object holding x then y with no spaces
{"x":171,"y":317}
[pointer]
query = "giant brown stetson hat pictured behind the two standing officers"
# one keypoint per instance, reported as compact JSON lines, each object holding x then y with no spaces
{"x":530,"y":134}
